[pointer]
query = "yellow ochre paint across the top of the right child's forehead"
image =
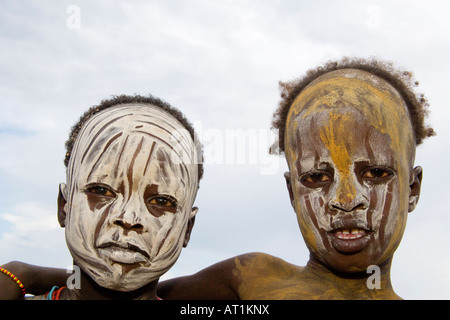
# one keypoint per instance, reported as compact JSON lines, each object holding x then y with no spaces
{"x":357,"y":92}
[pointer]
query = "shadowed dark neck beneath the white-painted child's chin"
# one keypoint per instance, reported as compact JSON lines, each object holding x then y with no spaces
{"x":90,"y":290}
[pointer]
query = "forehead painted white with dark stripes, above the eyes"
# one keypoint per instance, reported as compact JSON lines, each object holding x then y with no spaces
{"x":131,"y":133}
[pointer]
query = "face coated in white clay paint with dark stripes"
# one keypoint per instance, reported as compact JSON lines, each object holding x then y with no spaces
{"x":137,"y":153}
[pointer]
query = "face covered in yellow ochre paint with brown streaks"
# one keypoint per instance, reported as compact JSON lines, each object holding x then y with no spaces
{"x":350,"y":149}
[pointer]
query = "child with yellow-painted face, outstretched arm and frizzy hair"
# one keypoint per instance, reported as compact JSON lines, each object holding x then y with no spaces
{"x":349,"y":131}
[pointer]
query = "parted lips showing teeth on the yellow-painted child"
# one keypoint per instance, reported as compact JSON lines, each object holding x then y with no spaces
{"x":349,"y":240}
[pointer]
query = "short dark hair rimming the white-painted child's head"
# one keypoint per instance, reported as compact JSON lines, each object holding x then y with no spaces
{"x":126,"y":99}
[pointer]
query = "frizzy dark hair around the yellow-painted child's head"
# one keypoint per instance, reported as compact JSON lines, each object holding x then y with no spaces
{"x":401,"y":80}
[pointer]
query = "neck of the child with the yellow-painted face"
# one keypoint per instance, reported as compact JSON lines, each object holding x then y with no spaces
{"x":354,"y":285}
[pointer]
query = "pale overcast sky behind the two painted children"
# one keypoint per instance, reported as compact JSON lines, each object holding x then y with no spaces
{"x":220,"y":63}
